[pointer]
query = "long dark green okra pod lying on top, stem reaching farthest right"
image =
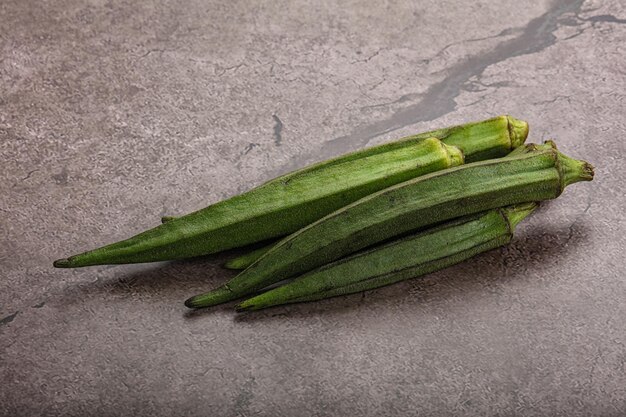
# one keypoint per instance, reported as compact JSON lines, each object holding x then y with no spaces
{"x":535,"y":174}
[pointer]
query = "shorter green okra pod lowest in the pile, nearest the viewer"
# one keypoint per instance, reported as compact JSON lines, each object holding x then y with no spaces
{"x":428,"y":251}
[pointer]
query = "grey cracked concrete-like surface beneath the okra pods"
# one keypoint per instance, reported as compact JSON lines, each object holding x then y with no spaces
{"x":113,"y":113}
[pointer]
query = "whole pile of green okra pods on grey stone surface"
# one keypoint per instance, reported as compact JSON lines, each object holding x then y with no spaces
{"x":363,"y":220}
